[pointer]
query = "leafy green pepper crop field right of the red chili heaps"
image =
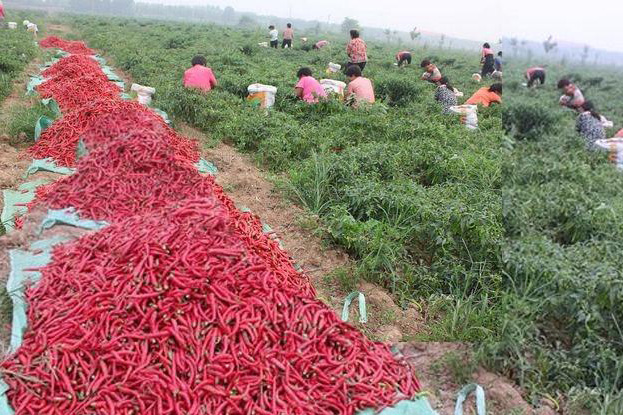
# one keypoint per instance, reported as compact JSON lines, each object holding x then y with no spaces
{"x":504,"y":238}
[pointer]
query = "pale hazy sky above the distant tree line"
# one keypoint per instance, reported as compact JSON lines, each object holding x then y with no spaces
{"x":597,"y":23}
